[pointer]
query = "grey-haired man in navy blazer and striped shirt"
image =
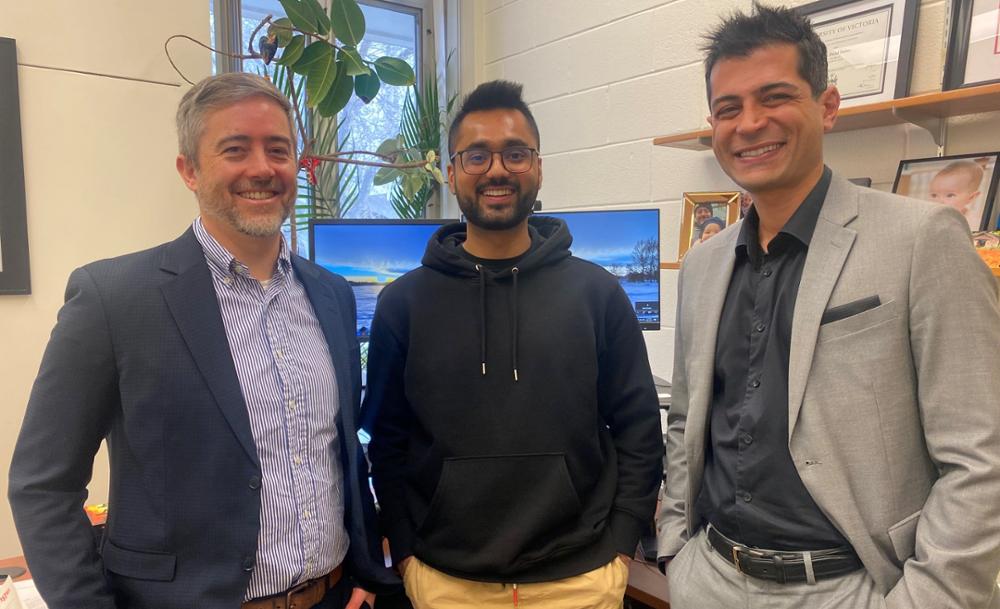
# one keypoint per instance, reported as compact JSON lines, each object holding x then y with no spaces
{"x":223,"y":372}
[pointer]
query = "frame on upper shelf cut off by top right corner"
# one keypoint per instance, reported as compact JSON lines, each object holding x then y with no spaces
{"x":973,"y":44}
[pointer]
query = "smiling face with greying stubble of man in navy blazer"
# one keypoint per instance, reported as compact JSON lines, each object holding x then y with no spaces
{"x":244,"y":177}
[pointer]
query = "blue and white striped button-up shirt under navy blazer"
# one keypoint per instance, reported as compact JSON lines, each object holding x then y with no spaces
{"x":286,"y":375}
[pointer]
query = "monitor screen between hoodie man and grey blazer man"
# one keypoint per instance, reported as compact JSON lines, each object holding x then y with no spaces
{"x":626,"y":242}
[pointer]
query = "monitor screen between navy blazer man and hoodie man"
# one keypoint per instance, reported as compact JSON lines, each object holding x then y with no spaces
{"x":369,"y":254}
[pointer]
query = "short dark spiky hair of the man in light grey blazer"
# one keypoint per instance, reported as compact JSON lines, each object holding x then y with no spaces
{"x":740,"y":35}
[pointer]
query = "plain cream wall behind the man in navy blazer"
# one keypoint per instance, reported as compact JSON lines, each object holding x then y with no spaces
{"x":97,"y":101}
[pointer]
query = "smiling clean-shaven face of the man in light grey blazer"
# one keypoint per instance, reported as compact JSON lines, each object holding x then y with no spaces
{"x":767,"y":128}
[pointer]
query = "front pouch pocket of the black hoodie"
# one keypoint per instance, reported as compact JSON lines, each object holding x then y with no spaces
{"x":491,"y":514}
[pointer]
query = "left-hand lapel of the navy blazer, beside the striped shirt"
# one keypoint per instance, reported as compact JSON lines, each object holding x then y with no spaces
{"x":190,"y":296}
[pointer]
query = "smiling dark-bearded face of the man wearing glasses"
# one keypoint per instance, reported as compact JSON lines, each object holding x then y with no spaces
{"x":497,"y":199}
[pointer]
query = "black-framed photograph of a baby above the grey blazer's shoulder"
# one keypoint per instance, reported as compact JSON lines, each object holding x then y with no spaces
{"x":967,"y":182}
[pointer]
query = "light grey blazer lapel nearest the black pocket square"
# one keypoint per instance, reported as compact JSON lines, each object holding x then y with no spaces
{"x":831,"y":243}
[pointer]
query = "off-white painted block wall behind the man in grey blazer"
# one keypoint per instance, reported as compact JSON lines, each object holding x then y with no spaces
{"x":604,"y":77}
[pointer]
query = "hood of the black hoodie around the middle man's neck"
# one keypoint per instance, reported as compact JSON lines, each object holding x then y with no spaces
{"x":550,"y":241}
